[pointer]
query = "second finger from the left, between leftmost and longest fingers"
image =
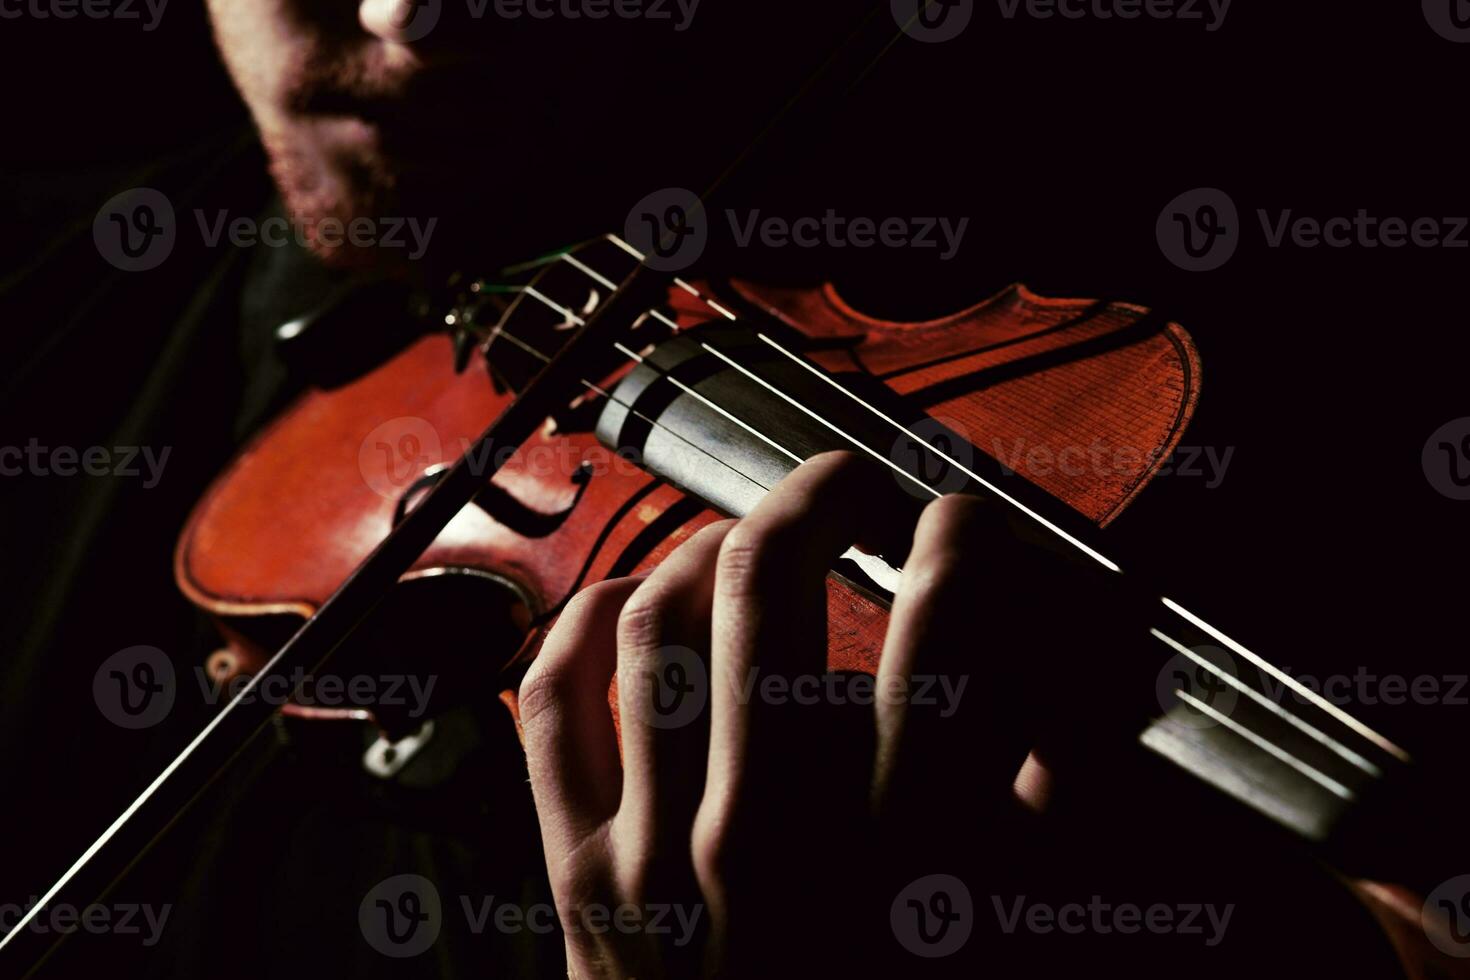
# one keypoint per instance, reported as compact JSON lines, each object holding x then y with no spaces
{"x":664,"y":641}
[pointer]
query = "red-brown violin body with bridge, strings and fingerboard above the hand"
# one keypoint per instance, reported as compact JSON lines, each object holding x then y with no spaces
{"x":692,"y":418}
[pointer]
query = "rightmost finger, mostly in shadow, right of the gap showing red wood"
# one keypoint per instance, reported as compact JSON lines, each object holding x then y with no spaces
{"x":947,"y":682}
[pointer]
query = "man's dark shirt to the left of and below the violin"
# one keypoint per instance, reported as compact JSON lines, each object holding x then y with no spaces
{"x":267,"y":875}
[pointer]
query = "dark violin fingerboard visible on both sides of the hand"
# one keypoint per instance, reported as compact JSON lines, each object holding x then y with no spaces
{"x":1218,"y":710}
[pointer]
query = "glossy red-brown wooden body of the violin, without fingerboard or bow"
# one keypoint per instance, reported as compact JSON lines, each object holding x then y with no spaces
{"x":1019,"y":375}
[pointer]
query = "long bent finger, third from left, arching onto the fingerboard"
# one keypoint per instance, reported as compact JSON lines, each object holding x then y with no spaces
{"x":774,"y":799}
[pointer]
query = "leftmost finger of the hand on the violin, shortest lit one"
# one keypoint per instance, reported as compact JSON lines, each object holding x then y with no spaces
{"x":571,"y":744}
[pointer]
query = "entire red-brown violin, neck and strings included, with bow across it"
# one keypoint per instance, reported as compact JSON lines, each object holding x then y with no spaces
{"x":633,"y":409}
